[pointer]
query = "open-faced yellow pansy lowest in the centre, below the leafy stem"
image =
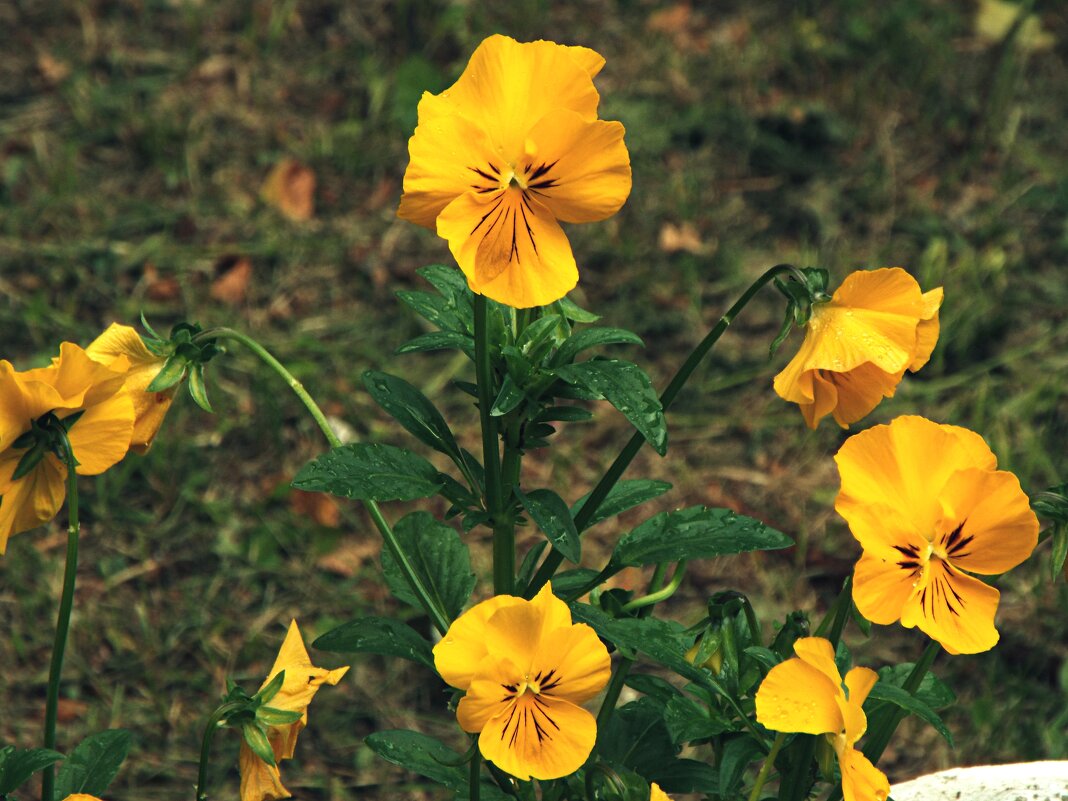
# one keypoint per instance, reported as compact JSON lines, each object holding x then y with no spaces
{"x":526,"y":669}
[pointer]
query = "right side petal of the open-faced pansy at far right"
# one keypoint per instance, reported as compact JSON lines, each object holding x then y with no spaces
{"x":998,"y":530}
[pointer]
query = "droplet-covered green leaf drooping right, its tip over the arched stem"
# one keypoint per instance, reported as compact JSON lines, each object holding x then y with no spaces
{"x":629,"y":389}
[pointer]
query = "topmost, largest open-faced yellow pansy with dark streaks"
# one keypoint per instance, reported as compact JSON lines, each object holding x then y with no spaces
{"x":504,"y":155}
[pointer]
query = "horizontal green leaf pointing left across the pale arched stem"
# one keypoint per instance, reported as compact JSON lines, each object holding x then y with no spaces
{"x":371,"y":473}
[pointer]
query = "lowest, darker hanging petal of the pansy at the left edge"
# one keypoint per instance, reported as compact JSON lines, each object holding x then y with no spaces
{"x":33,"y":500}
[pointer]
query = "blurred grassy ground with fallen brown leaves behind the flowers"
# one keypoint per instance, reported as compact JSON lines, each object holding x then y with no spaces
{"x":135,"y":138}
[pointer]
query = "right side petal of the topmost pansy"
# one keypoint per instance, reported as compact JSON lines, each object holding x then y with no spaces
{"x":582,"y":169}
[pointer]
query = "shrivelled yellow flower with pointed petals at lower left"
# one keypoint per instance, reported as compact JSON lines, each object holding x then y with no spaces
{"x":260,"y":781}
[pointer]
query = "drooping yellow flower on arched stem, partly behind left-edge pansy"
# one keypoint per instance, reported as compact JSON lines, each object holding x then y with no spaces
{"x":119,"y":342}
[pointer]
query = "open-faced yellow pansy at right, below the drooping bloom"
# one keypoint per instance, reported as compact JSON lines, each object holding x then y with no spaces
{"x":926,"y":502}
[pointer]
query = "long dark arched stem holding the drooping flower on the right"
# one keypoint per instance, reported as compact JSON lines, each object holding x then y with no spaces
{"x":600,"y":493}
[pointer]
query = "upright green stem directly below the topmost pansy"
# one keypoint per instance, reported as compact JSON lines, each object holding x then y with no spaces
{"x":505,"y":536}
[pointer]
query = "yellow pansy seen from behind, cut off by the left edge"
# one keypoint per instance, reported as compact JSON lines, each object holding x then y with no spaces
{"x":84,"y":397}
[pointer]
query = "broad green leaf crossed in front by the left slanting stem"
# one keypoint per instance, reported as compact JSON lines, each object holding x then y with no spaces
{"x":441,"y":560}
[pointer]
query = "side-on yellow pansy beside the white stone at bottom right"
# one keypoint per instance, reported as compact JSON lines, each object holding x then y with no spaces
{"x":807,"y":695}
